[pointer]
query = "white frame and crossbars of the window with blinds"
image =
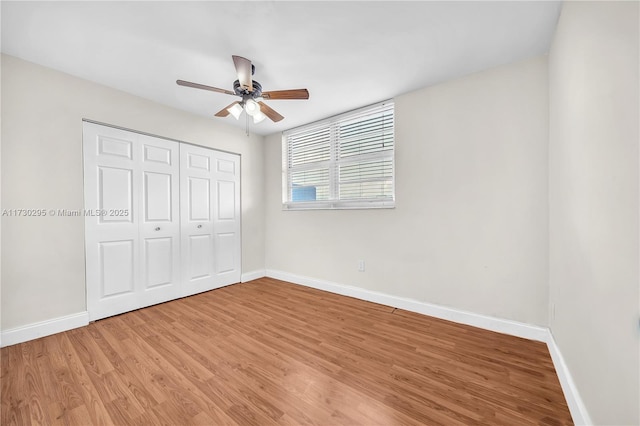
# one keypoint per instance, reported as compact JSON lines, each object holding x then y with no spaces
{"x":334,"y":203}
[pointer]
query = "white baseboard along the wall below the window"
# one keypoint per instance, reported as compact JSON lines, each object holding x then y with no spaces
{"x":513,"y":328}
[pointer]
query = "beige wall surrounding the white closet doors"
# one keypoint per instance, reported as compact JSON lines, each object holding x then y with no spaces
{"x":43,"y":275}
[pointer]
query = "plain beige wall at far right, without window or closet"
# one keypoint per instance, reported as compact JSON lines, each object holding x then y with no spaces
{"x":593,"y":77}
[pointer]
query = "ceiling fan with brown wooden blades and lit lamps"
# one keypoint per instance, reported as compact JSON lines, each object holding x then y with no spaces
{"x":251,"y":93}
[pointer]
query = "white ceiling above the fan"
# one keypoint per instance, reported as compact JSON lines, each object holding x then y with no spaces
{"x":348,"y":54}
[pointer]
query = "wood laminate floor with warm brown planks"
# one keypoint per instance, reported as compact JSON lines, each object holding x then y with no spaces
{"x":269,"y":352}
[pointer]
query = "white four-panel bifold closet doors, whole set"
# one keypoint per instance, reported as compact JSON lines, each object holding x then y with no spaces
{"x":162,"y":219}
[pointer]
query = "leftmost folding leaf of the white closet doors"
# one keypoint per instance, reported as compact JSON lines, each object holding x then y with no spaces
{"x":111,"y":170}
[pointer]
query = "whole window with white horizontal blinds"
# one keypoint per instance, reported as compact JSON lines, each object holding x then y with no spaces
{"x":343,"y":162}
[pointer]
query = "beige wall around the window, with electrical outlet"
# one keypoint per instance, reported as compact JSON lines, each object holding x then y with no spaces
{"x":469,"y":229}
